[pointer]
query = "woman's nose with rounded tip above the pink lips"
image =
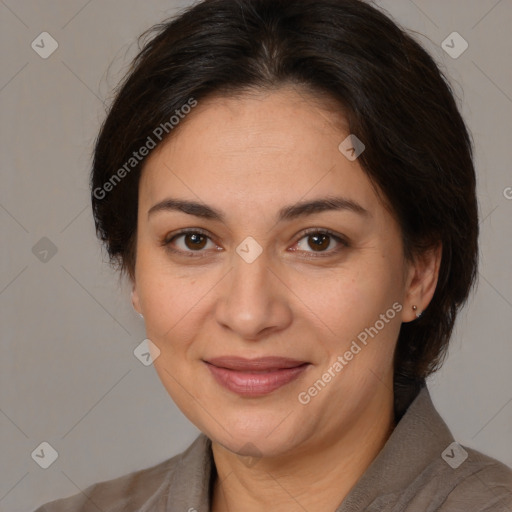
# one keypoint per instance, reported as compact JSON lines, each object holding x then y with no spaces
{"x":254,"y":300}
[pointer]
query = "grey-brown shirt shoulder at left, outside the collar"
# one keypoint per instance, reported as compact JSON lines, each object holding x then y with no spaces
{"x":136,"y":489}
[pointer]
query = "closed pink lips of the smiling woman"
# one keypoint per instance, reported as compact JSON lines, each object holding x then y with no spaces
{"x":255,"y":377}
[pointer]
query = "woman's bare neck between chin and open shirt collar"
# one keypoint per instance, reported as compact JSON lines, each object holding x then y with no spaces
{"x":316,"y":477}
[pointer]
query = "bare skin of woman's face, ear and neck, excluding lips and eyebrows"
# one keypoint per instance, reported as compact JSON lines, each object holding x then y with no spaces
{"x":248,"y":156}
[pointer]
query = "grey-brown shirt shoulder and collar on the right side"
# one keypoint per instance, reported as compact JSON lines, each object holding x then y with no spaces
{"x":422,"y":468}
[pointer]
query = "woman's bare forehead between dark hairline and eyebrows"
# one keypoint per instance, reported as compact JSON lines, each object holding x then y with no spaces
{"x":269,"y":148}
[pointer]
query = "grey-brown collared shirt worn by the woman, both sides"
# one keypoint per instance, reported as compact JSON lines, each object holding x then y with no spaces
{"x":420,"y":469}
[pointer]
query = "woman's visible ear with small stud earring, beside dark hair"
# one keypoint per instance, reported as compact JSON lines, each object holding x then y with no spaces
{"x":421,"y":282}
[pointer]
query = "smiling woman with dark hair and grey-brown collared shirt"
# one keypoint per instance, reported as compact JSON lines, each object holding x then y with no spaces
{"x":289,"y":187}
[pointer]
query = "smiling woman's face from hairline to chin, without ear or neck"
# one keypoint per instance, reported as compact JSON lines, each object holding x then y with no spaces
{"x":265,"y":281}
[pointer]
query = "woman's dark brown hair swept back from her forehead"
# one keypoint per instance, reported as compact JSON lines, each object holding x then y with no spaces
{"x":395,"y":99}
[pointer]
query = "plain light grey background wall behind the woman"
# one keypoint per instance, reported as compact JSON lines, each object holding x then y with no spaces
{"x":68,"y":375}
